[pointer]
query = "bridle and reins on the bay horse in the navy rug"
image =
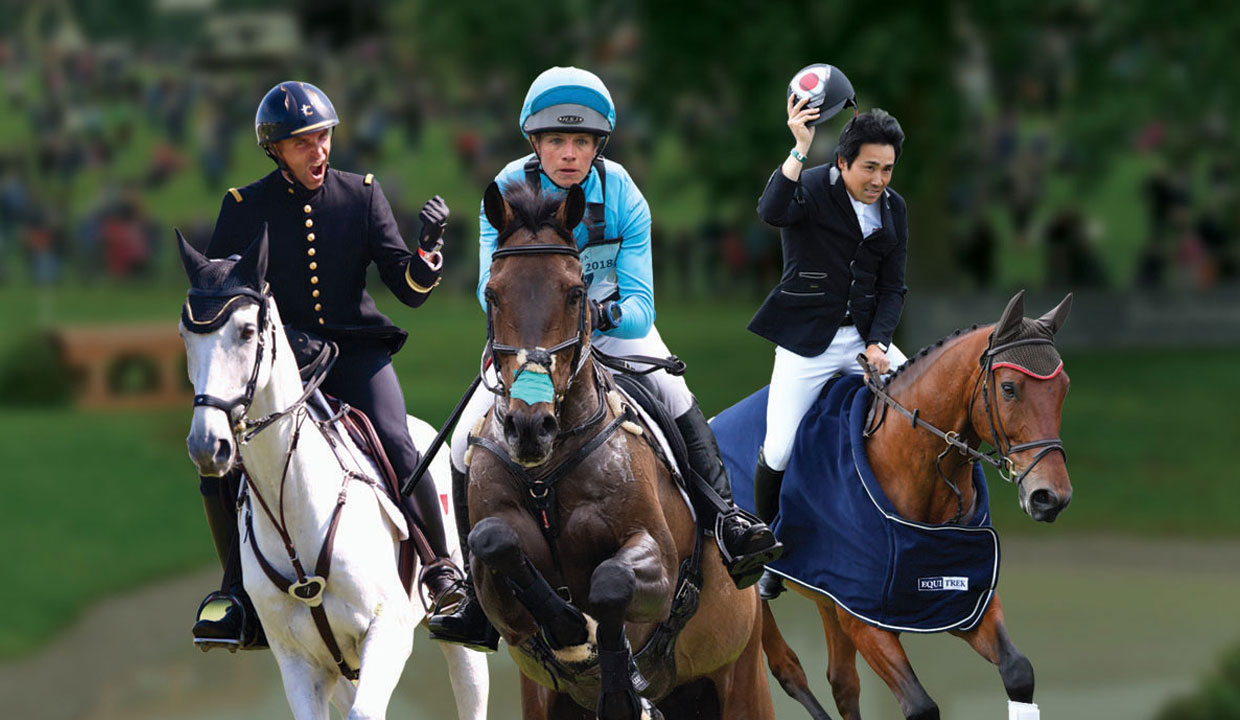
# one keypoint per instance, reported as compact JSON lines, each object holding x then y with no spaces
{"x":1000,"y":458}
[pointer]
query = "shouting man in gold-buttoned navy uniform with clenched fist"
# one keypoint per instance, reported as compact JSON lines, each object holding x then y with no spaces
{"x":325,"y":227}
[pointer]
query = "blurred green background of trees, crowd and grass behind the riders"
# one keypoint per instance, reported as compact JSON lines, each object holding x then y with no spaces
{"x":1052,"y":147}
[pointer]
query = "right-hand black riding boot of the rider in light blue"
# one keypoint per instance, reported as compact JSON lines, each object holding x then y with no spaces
{"x":747,"y":545}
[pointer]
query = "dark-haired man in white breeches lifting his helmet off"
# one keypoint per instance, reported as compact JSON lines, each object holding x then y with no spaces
{"x":845,"y":237}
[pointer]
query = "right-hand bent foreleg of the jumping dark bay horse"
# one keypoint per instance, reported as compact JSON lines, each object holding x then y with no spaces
{"x":631,"y":586}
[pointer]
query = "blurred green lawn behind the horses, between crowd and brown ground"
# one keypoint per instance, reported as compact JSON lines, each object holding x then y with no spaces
{"x":100,"y":503}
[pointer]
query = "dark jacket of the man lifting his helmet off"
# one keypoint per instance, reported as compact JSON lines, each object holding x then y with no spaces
{"x":829,"y":268}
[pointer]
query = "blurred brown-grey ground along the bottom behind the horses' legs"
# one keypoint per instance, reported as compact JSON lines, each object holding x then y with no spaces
{"x":1113,"y":626}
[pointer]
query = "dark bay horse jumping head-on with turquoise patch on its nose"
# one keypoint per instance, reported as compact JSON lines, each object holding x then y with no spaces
{"x":586,"y":555}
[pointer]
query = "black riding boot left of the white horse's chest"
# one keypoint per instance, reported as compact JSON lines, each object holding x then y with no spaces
{"x":239,"y":629}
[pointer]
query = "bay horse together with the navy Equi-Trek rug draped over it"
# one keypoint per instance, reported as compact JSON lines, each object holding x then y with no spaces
{"x":891,"y":529}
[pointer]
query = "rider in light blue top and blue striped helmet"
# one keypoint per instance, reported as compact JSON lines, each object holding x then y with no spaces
{"x":569,"y":117}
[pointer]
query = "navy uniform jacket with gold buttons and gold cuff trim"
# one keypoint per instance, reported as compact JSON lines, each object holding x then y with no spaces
{"x":321,"y":245}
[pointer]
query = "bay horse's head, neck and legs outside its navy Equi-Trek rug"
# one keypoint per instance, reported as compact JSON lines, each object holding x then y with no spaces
{"x":1003,"y":386}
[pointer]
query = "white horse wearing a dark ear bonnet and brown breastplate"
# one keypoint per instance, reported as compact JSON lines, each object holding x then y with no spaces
{"x":245,"y":367}
